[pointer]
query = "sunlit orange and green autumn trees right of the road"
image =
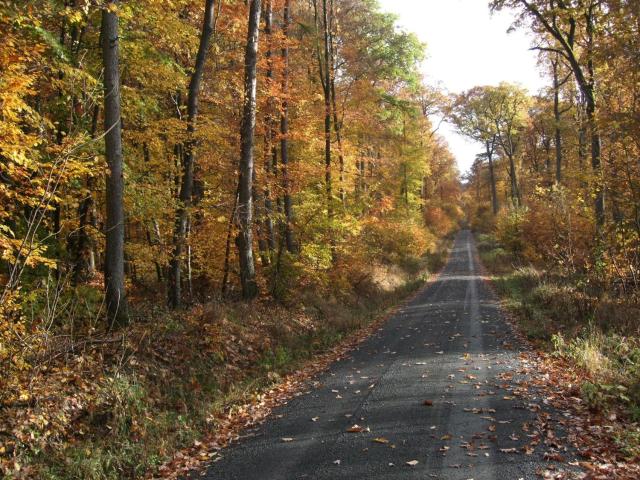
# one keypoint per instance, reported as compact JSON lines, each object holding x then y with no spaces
{"x":559,"y":219}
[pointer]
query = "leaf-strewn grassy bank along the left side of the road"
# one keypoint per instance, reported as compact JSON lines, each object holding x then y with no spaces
{"x":119,"y":405}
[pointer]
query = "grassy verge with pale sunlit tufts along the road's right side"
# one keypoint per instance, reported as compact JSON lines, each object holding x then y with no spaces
{"x":599,"y":334}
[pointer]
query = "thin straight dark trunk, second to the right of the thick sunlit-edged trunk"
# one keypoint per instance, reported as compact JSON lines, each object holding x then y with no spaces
{"x":284,"y":135}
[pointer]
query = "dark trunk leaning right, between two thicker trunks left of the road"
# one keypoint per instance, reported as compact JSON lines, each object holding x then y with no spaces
{"x":188,"y":159}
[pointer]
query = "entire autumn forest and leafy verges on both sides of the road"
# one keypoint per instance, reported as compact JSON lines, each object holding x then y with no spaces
{"x":204,"y":203}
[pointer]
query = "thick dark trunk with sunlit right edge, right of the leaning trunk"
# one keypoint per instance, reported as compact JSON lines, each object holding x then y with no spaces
{"x":244,"y":239}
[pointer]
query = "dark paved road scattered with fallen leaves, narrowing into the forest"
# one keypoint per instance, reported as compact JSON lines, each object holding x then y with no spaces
{"x":450,"y":347}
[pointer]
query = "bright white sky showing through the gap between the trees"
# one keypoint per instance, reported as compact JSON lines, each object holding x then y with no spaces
{"x":467,"y":46}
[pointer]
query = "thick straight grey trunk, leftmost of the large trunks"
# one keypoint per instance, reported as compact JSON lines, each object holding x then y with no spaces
{"x":116,"y":300}
